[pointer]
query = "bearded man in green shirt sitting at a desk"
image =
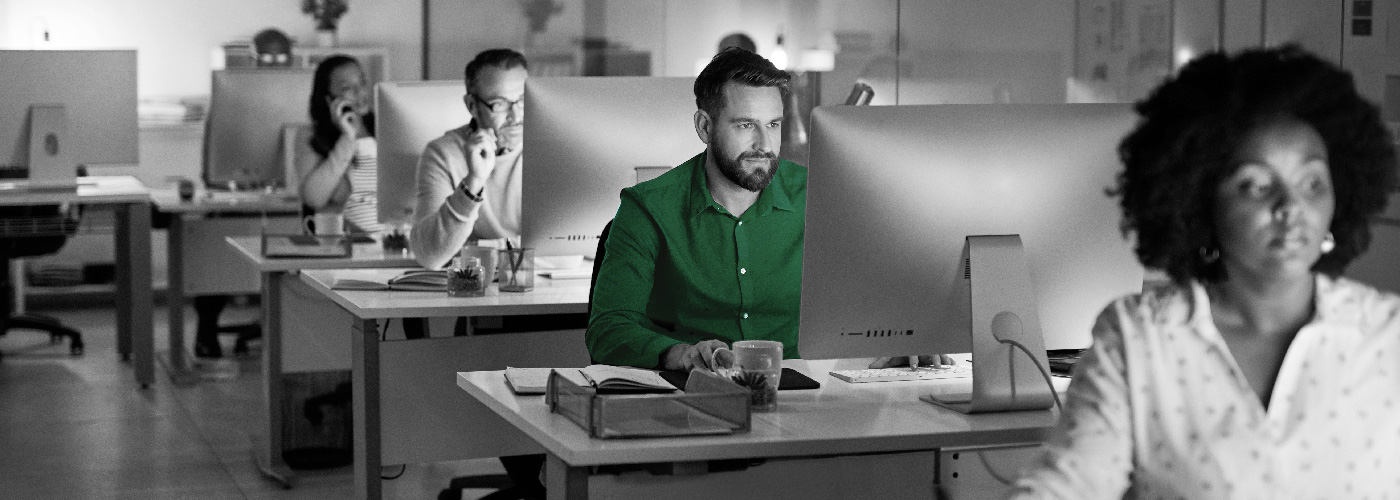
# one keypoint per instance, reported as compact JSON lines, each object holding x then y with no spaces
{"x":712,"y":251}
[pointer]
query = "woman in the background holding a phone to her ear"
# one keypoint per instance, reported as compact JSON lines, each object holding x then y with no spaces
{"x":339,"y":172}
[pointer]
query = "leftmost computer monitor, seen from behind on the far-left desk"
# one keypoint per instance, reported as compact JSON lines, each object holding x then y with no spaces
{"x":97,"y":93}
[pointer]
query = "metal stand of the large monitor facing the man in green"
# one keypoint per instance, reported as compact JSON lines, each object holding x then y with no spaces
{"x":1003,"y":316}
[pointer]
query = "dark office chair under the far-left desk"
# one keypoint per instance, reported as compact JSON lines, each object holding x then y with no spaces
{"x":33,"y":232}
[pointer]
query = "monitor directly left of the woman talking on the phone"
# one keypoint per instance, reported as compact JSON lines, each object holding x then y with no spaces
{"x":248,"y":111}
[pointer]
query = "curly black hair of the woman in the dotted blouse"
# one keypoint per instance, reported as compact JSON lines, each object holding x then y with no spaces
{"x":1192,"y":128}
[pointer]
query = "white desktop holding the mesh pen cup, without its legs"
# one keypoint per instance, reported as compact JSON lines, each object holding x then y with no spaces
{"x":548,"y":298}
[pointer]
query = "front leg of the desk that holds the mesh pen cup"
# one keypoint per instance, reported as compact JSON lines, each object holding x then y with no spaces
{"x":366,"y":394}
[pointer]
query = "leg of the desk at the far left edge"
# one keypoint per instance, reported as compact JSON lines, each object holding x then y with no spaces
{"x":135,"y":333}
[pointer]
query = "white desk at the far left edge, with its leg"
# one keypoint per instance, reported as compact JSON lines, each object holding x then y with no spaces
{"x":131,"y":201}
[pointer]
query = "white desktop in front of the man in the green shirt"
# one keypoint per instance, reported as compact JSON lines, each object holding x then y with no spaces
{"x":838,"y":419}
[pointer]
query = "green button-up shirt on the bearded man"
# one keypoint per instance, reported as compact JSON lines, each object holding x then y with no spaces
{"x":681,"y":270}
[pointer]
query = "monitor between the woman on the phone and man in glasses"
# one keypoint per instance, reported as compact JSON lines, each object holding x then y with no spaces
{"x":411,"y":116}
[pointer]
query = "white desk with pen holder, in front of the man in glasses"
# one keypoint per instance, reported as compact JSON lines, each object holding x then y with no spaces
{"x":407,"y":407}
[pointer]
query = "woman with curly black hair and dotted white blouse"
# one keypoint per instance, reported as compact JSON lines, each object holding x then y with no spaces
{"x":1258,"y":372}
